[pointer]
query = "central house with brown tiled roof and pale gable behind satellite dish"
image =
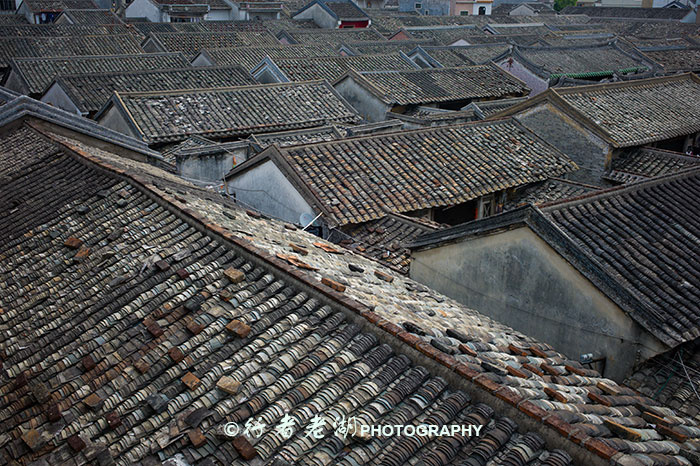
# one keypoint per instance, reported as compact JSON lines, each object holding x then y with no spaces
{"x":354,"y":180}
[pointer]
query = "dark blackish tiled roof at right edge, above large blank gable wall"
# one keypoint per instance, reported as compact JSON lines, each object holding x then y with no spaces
{"x":645,"y":238}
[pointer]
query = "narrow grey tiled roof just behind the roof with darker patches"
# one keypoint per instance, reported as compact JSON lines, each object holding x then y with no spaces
{"x":332,"y":68}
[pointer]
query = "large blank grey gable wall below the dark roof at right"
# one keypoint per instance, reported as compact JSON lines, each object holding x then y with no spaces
{"x":518,"y":279}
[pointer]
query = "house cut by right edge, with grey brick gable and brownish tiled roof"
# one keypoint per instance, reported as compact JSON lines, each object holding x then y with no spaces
{"x":593,"y":124}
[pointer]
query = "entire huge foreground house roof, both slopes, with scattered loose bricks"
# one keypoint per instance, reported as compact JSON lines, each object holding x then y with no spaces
{"x":227,"y":316}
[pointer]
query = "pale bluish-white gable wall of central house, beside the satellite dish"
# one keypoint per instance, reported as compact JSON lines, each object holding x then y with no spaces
{"x":266,"y":189}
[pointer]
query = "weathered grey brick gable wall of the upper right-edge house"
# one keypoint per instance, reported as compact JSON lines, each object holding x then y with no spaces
{"x":589,"y":152}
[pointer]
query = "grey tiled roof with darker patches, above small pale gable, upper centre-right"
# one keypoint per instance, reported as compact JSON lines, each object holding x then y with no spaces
{"x":441,"y":84}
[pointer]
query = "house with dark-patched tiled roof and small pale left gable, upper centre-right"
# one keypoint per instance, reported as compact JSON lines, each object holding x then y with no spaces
{"x":376,"y":94}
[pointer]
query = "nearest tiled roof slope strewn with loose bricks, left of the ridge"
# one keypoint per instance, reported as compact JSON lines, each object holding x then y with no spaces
{"x":150,"y":332}
